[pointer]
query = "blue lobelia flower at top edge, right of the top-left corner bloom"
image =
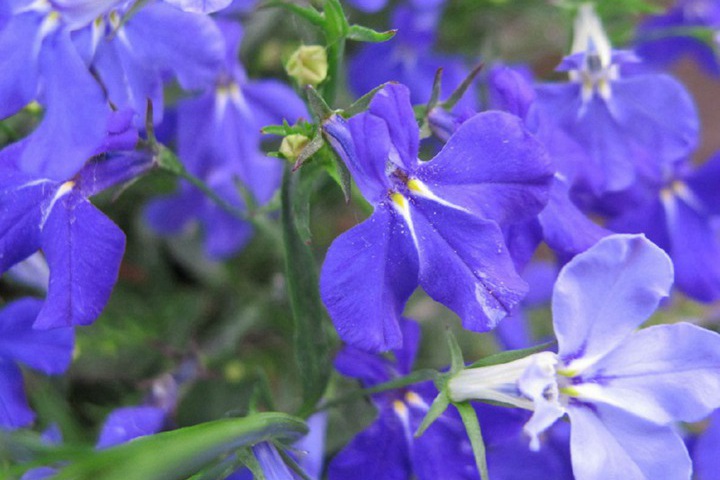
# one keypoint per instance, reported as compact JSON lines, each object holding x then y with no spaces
{"x":132,"y":56}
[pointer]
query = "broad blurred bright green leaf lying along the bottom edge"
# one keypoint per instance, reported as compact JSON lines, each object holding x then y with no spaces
{"x":180,"y":453}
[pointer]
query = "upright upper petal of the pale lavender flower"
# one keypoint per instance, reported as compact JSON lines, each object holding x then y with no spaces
{"x":605,"y":293}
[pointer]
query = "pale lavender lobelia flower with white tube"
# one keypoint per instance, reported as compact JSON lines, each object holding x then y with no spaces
{"x":621,"y":388}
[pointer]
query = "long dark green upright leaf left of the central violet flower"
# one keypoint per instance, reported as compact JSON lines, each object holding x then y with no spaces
{"x":312,"y":351}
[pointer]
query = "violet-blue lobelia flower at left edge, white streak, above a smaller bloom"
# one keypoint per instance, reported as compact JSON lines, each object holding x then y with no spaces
{"x":83,"y":247}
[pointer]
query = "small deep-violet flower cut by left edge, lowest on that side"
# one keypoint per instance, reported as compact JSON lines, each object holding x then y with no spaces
{"x":48,"y":351}
